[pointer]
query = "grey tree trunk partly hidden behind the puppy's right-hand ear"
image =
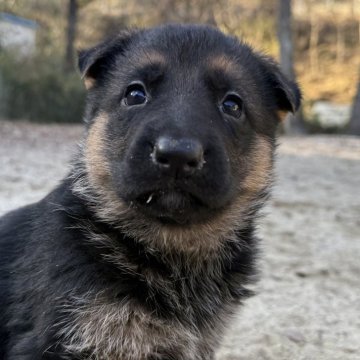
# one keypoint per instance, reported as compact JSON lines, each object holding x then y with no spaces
{"x":294,"y":123}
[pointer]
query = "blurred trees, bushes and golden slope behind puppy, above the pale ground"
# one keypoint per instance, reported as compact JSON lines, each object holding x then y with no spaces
{"x":316,"y":41}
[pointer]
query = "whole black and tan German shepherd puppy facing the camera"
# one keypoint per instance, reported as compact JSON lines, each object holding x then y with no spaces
{"x":146,"y":249}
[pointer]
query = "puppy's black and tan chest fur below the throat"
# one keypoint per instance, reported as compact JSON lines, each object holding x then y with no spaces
{"x":167,"y":311}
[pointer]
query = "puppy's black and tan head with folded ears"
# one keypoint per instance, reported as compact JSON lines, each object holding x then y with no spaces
{"x":181,"y":125}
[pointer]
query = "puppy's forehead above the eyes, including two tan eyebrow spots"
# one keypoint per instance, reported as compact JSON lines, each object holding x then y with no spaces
{"x":190,"y":55}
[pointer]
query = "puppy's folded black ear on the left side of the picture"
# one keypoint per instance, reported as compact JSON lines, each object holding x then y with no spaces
{"x":96,"y":61}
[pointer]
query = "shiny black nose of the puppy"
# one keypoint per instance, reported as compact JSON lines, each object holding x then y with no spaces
{"x":181,"y":156}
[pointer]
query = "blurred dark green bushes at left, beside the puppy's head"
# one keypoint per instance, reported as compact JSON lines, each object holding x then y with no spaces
{"x":38,"y":89}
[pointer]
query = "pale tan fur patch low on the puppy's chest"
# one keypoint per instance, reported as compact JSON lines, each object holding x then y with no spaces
{"x":123,"y":331}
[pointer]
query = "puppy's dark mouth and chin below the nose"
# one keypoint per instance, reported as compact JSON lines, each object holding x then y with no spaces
{"x":173,"y":207}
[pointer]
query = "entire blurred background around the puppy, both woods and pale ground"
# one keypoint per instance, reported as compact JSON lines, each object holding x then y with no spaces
{"x":308,"y":301}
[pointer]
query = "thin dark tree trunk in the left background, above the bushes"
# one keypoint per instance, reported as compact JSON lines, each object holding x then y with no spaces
{"x":70,"y":34}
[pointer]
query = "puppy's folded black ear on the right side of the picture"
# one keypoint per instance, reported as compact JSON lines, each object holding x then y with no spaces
{"x":287,"y":93}
